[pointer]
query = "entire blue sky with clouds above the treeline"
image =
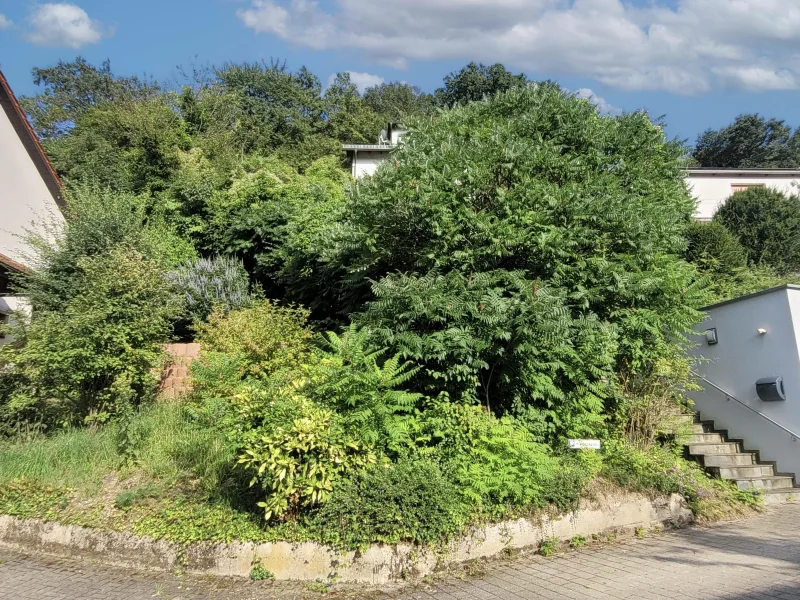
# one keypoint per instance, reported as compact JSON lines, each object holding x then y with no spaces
{"x":698,"y":62}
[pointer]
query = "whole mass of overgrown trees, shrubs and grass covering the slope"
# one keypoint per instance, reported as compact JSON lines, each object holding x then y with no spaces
{"x":386,"y":361}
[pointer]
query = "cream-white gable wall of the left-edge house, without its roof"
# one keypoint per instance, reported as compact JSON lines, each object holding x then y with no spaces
{"x":24,"y":197}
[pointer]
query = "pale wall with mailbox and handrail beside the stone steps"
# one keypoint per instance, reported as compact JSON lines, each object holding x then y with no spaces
{"x":741,"y":357}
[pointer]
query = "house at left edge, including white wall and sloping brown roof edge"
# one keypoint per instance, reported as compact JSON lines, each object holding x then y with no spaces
{"x":30,"y":193}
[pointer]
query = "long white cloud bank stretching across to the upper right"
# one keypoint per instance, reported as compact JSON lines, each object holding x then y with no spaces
{"x":683,"y":46}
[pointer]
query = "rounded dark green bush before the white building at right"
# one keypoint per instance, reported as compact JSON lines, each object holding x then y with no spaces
{"x":767,"y":224}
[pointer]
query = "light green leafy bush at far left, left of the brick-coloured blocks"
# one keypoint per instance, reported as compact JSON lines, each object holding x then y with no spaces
{"x":97,"y":353}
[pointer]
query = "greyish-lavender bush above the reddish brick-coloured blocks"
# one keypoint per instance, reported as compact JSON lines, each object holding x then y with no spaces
{"x":206,"y":284}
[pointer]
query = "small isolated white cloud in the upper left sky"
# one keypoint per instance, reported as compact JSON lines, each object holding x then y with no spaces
{"x":64,"y":25}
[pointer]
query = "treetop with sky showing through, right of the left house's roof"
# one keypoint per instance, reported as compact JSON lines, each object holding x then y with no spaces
{"x":73,"y":88}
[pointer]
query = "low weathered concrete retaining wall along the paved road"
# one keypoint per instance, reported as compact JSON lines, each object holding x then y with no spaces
{"x":309,"y":561}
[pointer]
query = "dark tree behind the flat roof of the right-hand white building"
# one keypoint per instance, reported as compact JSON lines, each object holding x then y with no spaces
{"x":751,"y":141}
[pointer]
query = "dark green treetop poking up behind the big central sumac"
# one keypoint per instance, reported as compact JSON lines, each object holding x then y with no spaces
{"x":475,"y":82}
